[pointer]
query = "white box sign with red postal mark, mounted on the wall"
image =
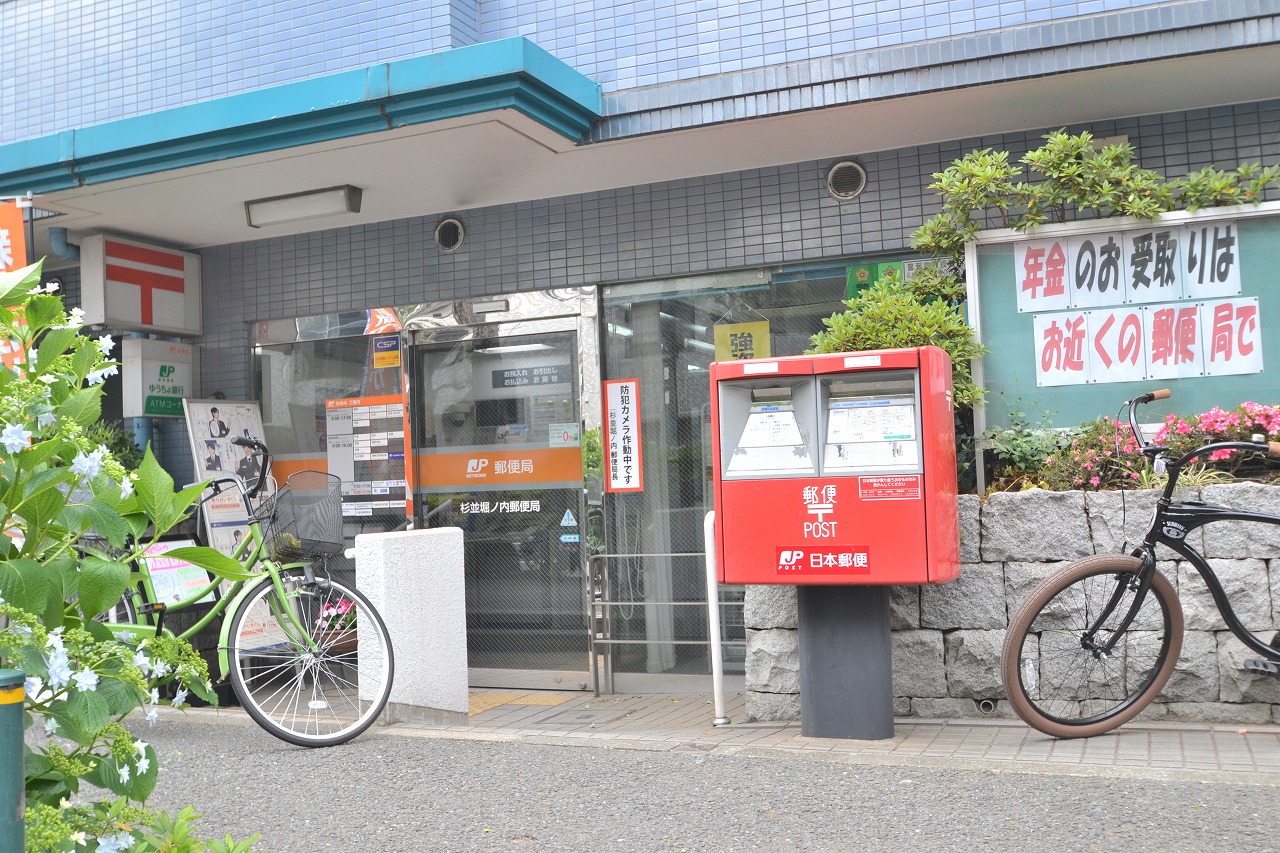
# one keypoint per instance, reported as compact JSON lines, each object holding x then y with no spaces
{"x":132,"y":286}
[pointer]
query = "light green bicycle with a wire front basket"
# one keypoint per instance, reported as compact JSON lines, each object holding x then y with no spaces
{"x":308,"y":655}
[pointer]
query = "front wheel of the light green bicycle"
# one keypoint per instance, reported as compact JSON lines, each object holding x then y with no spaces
{"x":316,"y":668}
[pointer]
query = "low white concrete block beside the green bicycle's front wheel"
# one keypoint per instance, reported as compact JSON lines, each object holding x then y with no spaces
{"x":415,"y":580}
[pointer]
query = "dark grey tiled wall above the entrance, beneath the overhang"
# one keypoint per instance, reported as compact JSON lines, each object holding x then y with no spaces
{"x":761,"y":218}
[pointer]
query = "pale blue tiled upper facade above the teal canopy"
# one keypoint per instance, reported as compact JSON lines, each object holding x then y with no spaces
{"x":74,"y":63}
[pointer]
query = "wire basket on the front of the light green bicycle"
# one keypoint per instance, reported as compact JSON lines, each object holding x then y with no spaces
{"x":304,"y":519}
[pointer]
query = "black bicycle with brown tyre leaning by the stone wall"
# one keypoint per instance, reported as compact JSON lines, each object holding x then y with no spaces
{"x":1095,"y":644}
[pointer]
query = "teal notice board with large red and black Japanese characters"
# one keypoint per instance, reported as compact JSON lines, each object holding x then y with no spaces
{"x":1078,"y":317}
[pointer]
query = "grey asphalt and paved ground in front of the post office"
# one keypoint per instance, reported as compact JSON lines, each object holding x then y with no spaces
{"x":548,"y":774}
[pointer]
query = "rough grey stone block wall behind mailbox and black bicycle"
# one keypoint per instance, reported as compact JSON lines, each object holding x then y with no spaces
{"x":947,"y":640}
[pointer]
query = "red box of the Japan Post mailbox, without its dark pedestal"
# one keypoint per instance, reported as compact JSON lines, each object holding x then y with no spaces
{"x":836,"y":469}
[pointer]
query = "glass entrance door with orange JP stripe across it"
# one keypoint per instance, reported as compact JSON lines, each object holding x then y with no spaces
{"x":497,"y":454}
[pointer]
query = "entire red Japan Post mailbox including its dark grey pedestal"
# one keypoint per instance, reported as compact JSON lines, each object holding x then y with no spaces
{"x":838,"y":473}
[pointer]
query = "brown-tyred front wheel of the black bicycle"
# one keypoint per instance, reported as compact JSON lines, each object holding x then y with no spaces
{"x":1062,"y":679}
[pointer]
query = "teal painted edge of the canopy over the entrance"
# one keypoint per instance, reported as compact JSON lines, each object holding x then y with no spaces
{"x":511,"y":74}
